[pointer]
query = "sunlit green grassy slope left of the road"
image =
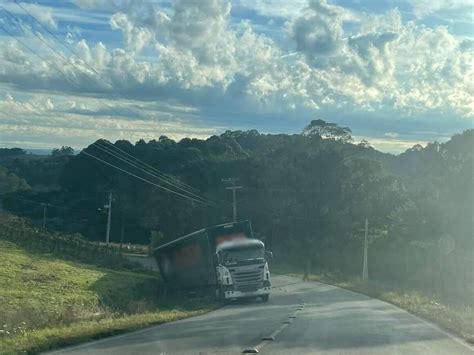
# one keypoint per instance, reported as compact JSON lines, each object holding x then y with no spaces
{"x":46,"y":302}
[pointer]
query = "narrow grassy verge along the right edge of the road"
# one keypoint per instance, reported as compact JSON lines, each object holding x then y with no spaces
{"x":453,"y":317}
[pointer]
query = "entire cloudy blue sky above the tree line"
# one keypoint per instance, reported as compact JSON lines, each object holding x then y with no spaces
{"x":398,"y":73}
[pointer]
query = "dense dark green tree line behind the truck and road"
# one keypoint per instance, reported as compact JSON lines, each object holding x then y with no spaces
{"x":307,"y":194}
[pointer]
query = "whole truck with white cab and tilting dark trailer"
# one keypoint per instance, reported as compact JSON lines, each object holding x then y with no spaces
{"x":225,"y":259}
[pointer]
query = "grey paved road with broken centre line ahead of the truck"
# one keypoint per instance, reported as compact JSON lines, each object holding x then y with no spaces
{"x":303,"y":318}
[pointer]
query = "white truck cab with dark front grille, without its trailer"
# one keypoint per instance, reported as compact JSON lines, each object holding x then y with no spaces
{"x":242,"y":270}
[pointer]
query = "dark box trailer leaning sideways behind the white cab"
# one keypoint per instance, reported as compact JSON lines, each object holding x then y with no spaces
{"x":190,"y":262}
